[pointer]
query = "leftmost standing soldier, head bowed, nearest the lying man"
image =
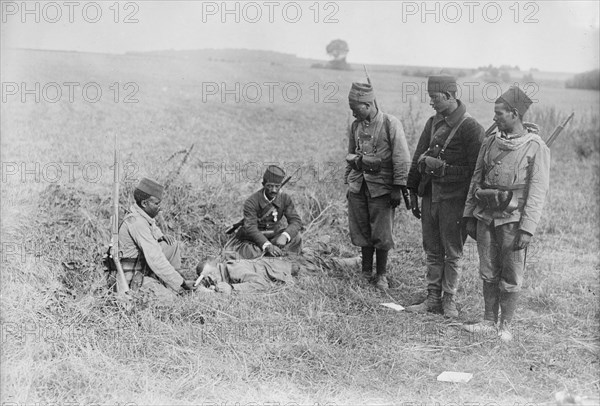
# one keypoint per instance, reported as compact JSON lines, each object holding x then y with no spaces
{"x":376,"y":172}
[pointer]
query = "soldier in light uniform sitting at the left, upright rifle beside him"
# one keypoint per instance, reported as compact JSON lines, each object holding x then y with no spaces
{"x":146,"y":250}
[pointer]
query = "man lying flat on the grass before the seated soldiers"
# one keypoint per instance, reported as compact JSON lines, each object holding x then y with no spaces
{"x":251,"y":275}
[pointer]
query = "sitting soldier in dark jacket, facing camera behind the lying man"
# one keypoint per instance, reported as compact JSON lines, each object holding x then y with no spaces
{"x":262,"y":230}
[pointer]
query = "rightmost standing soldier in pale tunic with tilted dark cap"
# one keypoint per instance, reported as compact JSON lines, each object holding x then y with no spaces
{"x":504,"y":206}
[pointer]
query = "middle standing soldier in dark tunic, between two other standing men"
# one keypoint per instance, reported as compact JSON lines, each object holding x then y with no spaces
{"x":441,"y":173}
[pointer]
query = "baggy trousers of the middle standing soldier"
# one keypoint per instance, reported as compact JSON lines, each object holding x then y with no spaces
{"x":443,"y":242}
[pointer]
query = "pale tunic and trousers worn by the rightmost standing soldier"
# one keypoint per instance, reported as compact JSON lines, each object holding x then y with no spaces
{"x":524,"y":170}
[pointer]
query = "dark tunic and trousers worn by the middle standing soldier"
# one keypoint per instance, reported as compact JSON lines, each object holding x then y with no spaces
{"x":444,"y":197}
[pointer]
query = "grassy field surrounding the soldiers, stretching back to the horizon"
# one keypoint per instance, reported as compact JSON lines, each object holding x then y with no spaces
{"x":325,"y":339}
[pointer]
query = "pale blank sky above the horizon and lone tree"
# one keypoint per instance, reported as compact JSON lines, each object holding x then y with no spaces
{"x":559,"y":36}
